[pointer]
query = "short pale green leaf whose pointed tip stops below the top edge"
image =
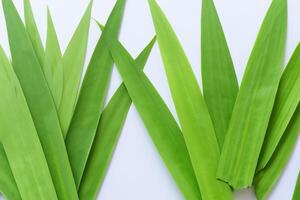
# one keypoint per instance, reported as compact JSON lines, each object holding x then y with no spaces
{"x":54,"y":74}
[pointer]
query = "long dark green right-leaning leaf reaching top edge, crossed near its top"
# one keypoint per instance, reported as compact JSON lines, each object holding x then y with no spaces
{"x":92,"y":97}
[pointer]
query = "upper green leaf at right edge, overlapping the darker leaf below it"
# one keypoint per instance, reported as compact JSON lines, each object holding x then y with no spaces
{"x":286,"y":102}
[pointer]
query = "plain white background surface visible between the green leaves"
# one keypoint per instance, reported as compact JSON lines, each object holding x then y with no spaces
{"x":137,"y":172}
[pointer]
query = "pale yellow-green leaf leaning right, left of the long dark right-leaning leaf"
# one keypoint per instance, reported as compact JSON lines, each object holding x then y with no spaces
{"x":72,"y":64}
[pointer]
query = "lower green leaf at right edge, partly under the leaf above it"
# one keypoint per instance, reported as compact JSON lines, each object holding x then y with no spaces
{"x":268,"y":177}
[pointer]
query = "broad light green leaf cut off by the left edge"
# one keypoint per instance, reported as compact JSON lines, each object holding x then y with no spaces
{"x":20,"y":139}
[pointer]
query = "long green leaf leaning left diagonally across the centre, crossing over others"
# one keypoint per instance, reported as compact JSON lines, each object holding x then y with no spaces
{"x":158,"y":120}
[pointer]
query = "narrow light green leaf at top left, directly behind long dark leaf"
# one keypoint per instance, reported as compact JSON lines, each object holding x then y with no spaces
{"x":33,"y":33}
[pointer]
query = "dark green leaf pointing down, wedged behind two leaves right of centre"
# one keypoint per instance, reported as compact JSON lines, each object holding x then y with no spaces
{"x":220,"y":85}
